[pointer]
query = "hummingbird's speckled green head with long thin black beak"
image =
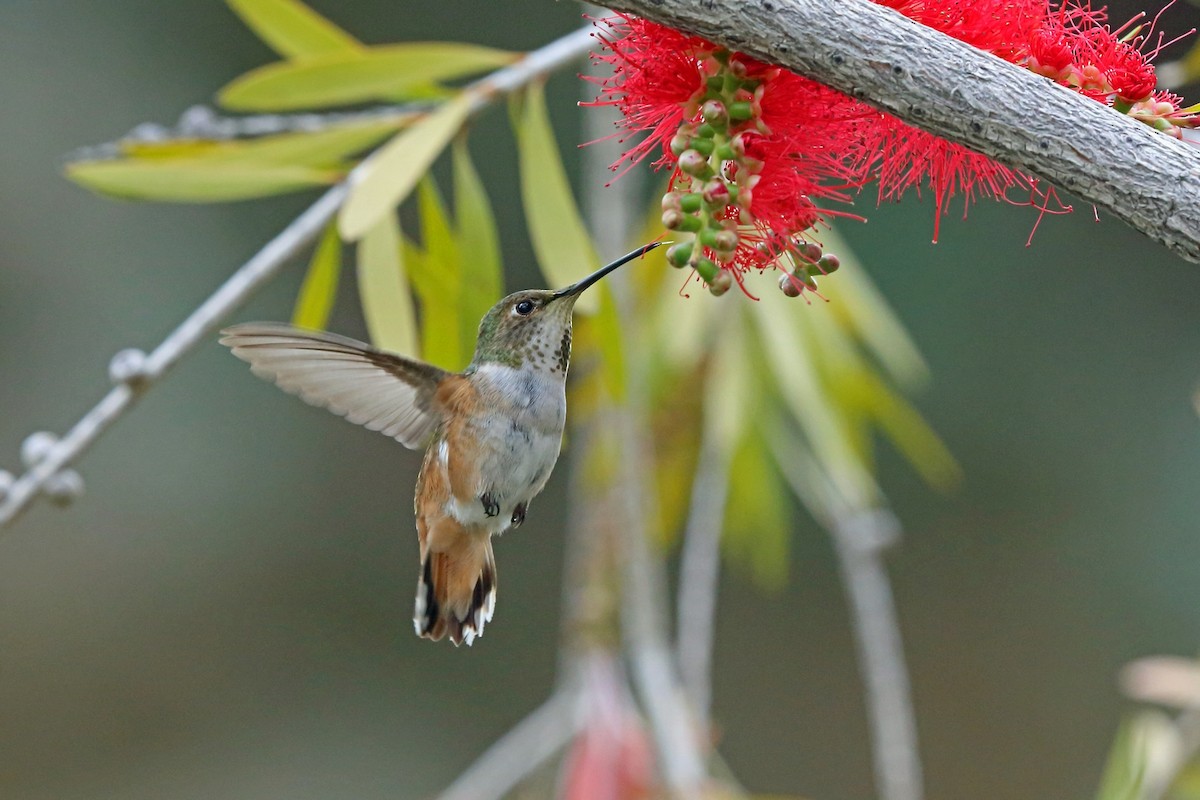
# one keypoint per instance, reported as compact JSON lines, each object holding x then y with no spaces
{"x":535,"y":327}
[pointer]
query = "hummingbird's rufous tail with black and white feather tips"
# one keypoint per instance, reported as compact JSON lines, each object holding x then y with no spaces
{"x":457,"y":592}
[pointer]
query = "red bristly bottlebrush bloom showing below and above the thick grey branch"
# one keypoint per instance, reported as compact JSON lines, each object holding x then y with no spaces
{"x":759,"y":152}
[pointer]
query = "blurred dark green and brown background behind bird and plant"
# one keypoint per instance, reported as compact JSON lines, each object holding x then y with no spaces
{"x":226,"y":613}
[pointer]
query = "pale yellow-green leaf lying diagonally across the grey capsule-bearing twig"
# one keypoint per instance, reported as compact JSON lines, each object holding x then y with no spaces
{"x":391,"y":175}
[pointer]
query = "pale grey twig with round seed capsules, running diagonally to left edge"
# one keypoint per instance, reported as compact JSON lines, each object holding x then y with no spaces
{"x":250,"y":278}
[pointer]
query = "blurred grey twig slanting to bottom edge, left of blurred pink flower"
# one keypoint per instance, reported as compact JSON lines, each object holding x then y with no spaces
{"x":523,"y":750}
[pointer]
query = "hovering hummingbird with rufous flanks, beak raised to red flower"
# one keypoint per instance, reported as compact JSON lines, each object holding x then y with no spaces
{"x":491,"y":434}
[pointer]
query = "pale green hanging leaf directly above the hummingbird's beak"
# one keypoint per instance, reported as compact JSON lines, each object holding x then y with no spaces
{"x":560,"y":239}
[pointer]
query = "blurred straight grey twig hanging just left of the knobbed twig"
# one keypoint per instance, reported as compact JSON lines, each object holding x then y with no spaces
{"x":700,"y":568}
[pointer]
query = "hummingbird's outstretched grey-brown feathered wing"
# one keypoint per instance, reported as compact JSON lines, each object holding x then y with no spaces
{"x":381,"y":392}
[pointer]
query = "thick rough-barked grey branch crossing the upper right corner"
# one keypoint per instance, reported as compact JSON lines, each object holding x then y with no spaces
{"x":951,"y":89}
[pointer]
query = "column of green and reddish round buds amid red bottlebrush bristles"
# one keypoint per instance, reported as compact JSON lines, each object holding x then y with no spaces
{"x":716,"y":176}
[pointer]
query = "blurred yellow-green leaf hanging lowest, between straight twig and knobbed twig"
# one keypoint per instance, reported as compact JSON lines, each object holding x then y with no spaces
{"x":757,"y":519}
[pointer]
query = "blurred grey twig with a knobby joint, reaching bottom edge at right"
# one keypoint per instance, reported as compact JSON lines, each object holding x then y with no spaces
{"x":861,"y":536}
